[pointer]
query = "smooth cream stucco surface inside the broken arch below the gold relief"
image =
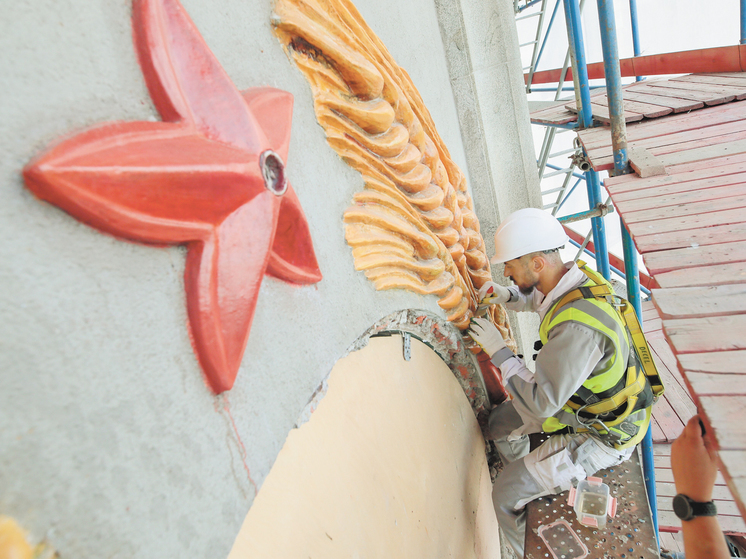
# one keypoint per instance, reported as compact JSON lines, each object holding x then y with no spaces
{"x":391,"y":464}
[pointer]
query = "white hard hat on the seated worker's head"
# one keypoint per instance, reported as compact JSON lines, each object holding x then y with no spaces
{"x":526,"y":231}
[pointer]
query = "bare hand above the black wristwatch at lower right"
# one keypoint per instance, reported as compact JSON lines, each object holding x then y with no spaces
{"x":694,"y":463}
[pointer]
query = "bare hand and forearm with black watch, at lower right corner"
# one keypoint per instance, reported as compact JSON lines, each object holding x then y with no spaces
{"x":694,"y":466}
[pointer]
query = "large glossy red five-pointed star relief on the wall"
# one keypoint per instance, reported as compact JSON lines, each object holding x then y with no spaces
{"x":211,"y":176}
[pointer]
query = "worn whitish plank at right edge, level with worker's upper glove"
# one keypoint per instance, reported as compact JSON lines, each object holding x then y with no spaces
{"x":699,"y":302}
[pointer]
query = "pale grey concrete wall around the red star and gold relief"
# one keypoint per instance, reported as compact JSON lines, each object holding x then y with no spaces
{"x":111,"y":443}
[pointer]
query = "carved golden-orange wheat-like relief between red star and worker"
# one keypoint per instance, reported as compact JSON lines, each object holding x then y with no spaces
{"x":413,"y":226}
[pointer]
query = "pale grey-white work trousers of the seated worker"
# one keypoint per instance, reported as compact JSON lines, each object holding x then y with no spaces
{"x":552,"y":468}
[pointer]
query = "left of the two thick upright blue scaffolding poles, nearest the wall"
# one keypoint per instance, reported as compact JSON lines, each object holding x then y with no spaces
{"x":585,"y":120}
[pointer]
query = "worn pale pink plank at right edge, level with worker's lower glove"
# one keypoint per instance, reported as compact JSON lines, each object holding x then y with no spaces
{"x":697,"y":335}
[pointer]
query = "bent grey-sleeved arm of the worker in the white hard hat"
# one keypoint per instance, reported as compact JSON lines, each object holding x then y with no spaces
{"x":567,"y":359}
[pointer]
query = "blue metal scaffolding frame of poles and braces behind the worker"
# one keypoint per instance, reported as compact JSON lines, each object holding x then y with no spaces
{"x":575,"y":59}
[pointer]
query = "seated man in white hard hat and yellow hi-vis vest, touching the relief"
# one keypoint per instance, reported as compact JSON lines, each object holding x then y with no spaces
{"x":584,"y":356}
